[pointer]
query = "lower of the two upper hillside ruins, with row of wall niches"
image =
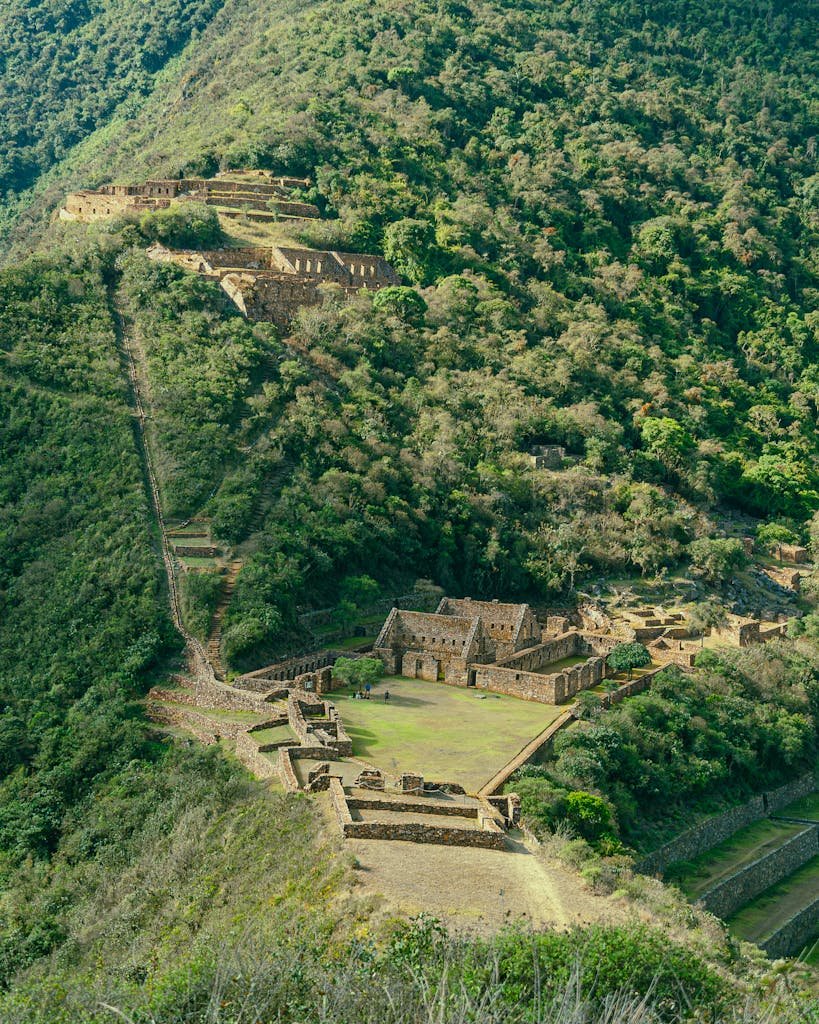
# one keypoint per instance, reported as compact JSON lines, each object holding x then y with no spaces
{"x":272,"y":284}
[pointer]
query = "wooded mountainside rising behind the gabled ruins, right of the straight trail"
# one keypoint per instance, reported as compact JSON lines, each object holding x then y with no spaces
{"x":611,"y":212}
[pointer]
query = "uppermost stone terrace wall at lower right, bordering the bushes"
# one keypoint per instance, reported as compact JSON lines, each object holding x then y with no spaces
{"x":708,"y":834}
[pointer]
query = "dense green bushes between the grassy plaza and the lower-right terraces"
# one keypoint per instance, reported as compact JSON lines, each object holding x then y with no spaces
{"x":742,"y":723}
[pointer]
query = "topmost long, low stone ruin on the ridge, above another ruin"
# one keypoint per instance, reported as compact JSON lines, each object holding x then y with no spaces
{"x":262,"y":199}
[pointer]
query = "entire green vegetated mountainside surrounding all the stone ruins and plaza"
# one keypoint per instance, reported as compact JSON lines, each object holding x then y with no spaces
{"x":607,"y":220}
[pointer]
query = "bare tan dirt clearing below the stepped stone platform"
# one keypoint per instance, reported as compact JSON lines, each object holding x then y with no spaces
{"x":473,"y":890}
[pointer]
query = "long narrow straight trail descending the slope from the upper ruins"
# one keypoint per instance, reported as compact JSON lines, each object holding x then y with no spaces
{"x":198,"y":657}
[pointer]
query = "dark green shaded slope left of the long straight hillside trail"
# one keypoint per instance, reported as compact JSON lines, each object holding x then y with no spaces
{"x":81,"y":607}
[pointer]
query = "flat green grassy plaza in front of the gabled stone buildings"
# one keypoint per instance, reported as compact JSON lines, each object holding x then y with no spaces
{"x":446,"y":734}
